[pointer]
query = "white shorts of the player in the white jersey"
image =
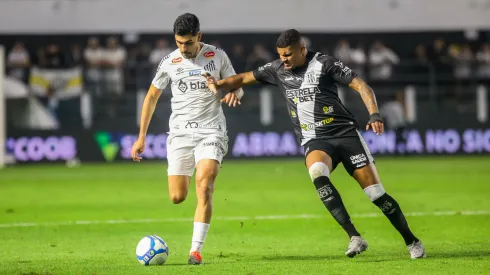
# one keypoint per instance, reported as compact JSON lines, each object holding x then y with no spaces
{"x":184,"y":151}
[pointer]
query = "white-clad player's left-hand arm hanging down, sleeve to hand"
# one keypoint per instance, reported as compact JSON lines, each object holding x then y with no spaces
{"x":159,"y":83}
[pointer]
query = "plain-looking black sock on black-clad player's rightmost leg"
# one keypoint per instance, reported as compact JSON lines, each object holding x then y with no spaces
{"x":394,"y":213}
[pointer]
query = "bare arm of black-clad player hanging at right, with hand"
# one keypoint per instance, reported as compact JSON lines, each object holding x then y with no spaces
{"x":369,"y":99}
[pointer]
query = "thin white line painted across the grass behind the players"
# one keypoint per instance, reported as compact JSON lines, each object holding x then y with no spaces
{"x":242,"y":218}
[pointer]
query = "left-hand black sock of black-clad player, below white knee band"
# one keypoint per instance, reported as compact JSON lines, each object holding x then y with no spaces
{"x":332,"y":200}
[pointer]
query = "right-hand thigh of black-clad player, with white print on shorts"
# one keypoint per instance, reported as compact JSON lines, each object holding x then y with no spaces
{"x":357,"y":160}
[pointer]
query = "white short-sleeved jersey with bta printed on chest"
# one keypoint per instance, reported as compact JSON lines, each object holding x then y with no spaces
{"x":195,"y":108}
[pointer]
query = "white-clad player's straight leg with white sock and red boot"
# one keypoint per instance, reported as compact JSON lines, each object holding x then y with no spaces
{"x":209,"y":155}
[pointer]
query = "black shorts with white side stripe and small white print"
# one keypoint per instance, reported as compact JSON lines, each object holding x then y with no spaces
{"x":351,"y":150}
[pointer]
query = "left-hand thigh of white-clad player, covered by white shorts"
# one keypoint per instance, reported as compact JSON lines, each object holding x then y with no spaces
{"x":180,"y":155}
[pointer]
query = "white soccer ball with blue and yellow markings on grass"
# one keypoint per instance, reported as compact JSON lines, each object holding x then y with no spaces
{"x":152,"y":250}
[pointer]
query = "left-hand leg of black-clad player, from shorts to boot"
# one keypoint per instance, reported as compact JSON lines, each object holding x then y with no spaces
{"x":320,"y":164}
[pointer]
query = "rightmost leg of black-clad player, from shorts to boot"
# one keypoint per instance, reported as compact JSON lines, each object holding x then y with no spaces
{"x":359,"y":163}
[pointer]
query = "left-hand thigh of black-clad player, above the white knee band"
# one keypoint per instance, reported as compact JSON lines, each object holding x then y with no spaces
{"x":321,"y":151}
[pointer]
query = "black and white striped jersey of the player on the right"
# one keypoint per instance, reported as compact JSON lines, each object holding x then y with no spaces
{"x":311,"y":93}
